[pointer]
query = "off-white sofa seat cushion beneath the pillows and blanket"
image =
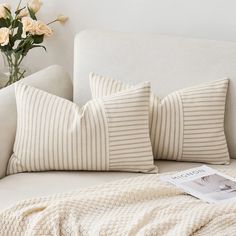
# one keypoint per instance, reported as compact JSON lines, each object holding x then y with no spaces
{"x":21,"y":186}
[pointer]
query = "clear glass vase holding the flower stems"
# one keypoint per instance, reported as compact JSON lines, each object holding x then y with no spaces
{"x":12,"y":69}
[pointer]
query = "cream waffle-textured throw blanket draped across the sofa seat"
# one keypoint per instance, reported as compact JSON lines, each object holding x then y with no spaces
{"x":137,"y":206}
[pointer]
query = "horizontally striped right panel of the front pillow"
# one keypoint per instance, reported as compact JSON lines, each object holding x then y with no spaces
{"x":128,"y":126}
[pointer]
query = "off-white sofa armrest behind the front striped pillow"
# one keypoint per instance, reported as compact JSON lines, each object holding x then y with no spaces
{"x":53,"y":80}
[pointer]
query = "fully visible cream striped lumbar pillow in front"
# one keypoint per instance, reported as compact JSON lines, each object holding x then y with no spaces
{"x":109,"y":134}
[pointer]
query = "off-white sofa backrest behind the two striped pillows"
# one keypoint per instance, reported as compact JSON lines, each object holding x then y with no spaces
{"x":170,"y":63}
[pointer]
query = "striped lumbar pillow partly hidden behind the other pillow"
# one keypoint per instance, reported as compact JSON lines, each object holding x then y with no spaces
{"x":187,"y":125}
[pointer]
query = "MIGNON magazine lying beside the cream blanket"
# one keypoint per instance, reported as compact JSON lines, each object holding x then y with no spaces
{"x":205,"y":183}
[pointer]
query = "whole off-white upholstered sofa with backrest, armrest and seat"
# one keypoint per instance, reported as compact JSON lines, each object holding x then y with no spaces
{"x":168,"y":62}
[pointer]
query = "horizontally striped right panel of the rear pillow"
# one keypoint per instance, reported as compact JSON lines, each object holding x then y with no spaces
{"x":204,"y":111}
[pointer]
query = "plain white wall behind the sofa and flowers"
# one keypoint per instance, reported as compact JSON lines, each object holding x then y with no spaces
{"x":212,"y":19}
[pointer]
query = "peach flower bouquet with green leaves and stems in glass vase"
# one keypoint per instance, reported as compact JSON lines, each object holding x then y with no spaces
{"x":21,"y":31}
